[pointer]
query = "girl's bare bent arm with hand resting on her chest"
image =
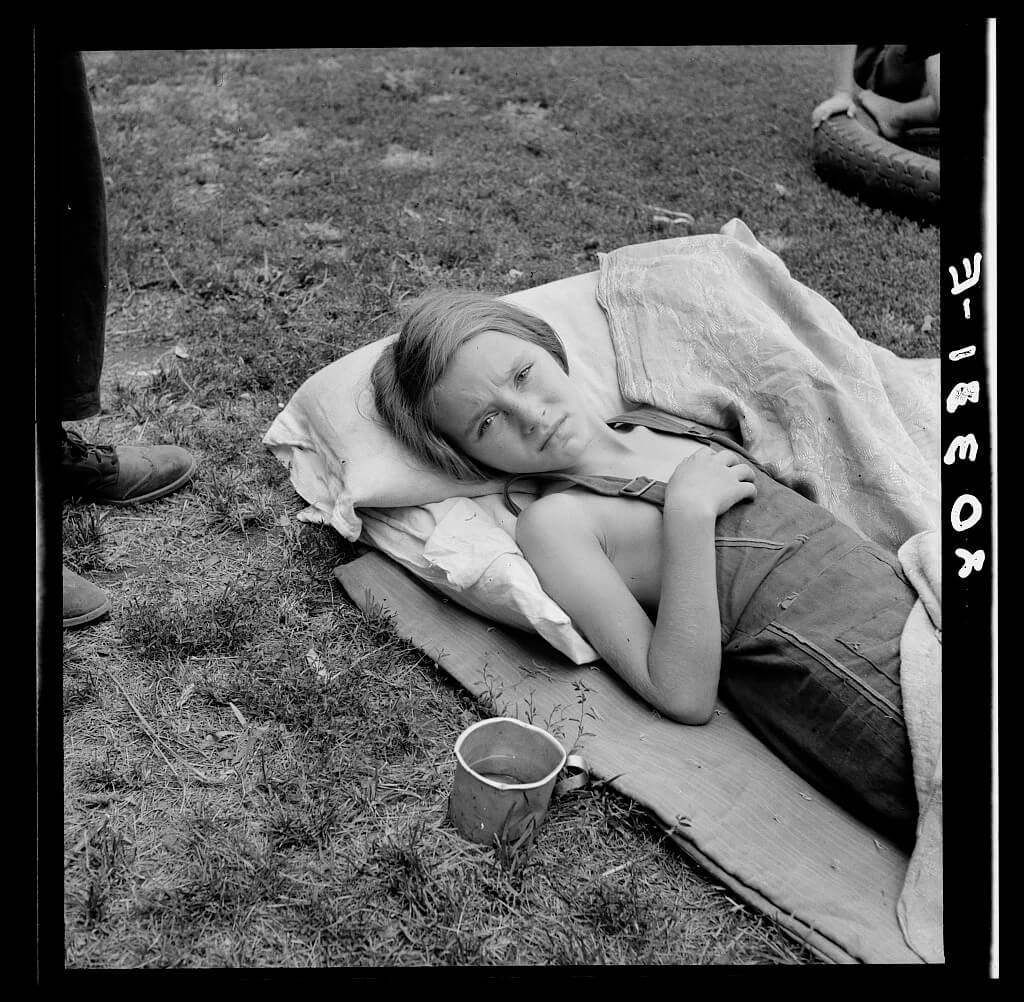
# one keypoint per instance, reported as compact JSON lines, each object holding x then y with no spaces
{"x":675,"y":664}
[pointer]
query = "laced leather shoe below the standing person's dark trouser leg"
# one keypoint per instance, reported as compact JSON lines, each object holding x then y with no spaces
{"x":122,"y":475}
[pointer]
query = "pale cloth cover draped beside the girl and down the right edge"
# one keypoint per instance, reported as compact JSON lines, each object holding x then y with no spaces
{"x":716,"y":330}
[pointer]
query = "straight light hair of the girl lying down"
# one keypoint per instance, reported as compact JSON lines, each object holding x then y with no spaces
{"x":404,"y":378}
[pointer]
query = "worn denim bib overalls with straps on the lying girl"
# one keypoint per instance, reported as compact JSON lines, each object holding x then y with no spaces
{"x":812,"y":622}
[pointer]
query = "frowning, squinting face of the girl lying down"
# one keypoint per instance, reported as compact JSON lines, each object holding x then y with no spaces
{"x":508,"y":404}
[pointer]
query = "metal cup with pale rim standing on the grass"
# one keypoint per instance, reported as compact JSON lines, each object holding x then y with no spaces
{"x":505,"y":773}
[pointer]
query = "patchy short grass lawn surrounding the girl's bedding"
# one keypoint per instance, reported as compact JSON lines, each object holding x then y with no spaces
{"x":255,"y":774}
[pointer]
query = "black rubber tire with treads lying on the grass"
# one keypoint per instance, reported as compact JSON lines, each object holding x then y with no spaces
{"x":854,"y":159}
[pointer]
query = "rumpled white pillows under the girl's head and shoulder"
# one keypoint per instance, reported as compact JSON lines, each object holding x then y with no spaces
{"x":459,"y":538}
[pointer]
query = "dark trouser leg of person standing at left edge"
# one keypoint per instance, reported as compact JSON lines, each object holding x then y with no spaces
{"x":82,"y":253}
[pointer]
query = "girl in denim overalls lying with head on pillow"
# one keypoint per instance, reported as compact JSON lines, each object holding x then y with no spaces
{"x":726,"y":582}
